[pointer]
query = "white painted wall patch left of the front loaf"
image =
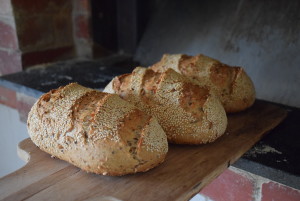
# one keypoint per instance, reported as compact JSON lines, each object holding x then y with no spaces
{"x":12,"y":131}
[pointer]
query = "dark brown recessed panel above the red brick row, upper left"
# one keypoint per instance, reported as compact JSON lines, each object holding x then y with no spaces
{"x":44,"y":25}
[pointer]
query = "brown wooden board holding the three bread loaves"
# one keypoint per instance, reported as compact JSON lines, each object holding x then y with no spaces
{"x":186,"y":170}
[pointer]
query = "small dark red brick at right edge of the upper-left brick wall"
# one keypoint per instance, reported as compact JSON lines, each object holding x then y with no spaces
{"x":82,"y":27}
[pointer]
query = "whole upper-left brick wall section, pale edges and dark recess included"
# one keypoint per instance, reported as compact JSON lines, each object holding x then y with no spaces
{"x":34,"y":32}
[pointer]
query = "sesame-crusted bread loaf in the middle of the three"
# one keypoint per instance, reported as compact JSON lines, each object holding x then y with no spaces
{"x":188,"y":113}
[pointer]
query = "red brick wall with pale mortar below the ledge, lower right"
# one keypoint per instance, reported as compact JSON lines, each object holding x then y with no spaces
{"x":237,"y":185}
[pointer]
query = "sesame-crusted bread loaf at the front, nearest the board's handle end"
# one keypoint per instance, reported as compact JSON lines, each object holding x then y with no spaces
{"x":96,"y":131}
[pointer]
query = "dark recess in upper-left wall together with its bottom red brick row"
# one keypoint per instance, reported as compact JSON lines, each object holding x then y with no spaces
{"x":44,"y":30}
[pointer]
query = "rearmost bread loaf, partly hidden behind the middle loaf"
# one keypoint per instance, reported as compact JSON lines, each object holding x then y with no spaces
{"x":231,"y":84}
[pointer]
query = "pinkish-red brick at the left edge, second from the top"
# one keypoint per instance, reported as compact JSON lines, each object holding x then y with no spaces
{"x":8,"y":38}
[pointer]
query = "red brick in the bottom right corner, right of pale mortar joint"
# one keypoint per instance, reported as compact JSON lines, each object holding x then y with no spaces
{"x":276,"y":192}
